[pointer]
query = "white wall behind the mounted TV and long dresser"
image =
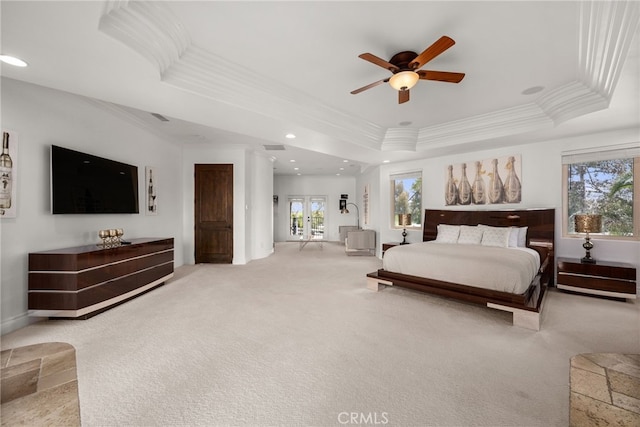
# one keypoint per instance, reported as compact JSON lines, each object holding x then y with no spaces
{"x":39,"y":117}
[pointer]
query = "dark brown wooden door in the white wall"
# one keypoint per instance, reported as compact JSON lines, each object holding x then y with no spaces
{"x":214,"y":213}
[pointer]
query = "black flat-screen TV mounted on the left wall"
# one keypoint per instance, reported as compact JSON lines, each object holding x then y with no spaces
{"x":85,"y":184}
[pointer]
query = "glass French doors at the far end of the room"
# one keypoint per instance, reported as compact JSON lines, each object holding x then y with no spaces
{"x":307,"y":217}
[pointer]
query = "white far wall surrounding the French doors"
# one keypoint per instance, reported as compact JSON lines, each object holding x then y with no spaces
{"x":330,"y":186}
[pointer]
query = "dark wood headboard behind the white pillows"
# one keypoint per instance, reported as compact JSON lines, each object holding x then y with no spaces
{"x":541,"y":223}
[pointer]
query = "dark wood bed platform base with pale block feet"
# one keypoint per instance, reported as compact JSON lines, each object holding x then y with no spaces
{"x":527,"y":317}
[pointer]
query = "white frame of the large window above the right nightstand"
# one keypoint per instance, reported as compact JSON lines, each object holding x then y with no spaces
{"x":593,"y":157}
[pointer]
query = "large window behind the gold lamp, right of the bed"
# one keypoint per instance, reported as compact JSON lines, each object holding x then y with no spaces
{"x":603,"y":183}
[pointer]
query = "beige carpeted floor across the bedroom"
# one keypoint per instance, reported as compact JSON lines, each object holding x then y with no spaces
{"x":297,"y":339}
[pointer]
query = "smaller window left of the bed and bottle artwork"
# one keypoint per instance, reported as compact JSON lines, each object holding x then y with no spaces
{"x":406,"y":194}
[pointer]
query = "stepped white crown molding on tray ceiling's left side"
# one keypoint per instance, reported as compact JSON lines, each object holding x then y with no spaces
{"x":149,"y":28}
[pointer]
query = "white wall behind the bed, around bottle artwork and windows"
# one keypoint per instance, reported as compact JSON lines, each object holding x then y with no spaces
{"x":541,"y":187}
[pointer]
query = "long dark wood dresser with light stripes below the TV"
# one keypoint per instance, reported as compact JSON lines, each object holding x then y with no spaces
{"x":82,"y":281}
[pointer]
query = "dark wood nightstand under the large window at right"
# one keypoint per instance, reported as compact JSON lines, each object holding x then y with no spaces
{"x":606,"y":278}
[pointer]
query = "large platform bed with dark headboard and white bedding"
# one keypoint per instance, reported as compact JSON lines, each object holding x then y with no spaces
{"x":531,"y":232}
